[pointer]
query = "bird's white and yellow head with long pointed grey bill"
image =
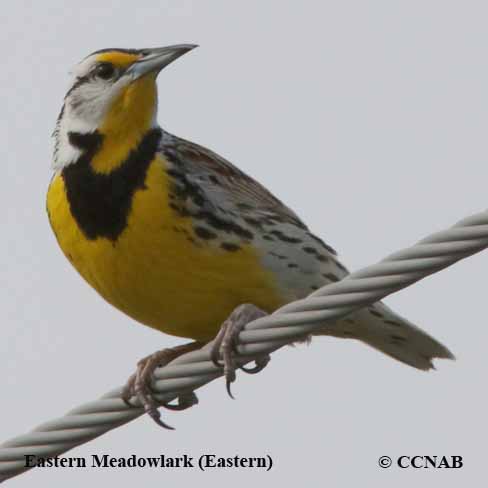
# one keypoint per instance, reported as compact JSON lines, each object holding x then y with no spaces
{"x":114,"y":96}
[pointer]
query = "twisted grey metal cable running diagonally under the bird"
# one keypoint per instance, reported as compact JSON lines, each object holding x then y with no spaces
{"x":292,"y":322}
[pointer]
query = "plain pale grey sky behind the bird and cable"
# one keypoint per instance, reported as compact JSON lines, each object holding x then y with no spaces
{"x":370,"y":120}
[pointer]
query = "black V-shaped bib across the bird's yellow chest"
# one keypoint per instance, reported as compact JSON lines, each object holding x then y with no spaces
{"x":101,"y":203}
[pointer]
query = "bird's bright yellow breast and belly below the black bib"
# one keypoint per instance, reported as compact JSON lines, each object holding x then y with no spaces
{"x":157,"y":271}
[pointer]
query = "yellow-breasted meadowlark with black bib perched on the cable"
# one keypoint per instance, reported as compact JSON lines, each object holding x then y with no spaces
{"x":177,"y":237}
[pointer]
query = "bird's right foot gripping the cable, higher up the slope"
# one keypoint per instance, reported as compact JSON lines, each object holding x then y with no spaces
{"x":225,"y":342}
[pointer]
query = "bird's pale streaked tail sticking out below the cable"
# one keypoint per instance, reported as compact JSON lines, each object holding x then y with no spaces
{"x":391,"y":334}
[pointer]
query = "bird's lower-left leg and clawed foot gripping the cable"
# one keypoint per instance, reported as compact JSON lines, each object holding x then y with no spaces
{"x":139,"y":384}
